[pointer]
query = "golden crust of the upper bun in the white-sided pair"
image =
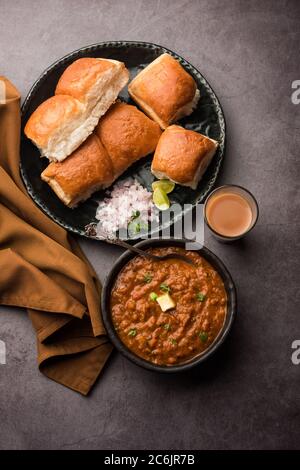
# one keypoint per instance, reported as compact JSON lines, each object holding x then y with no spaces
{"x":81,"y":75}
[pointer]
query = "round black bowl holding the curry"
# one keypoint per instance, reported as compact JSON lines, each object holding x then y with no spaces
{"x":106,"y":313}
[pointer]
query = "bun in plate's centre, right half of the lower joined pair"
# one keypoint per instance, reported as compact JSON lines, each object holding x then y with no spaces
{"x":127,"y":134}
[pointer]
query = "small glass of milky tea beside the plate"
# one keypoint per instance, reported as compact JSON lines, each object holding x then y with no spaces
{"x":230,"y":212}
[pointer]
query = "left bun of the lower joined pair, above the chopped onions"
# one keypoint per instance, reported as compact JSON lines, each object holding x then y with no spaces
{"x":82,"y":170}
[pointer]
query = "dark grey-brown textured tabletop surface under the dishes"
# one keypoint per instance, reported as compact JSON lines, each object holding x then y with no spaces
{"x":248,"y":395}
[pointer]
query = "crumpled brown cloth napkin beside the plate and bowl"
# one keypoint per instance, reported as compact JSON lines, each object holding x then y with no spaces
{"x":44,"y":270}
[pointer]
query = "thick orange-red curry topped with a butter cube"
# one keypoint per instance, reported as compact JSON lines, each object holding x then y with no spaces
{"x":168,"y":312}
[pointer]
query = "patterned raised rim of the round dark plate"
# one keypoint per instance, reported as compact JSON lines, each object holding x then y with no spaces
{"x":120,"y":43}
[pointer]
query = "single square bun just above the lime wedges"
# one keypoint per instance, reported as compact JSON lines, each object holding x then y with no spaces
{"x":182,"y":156}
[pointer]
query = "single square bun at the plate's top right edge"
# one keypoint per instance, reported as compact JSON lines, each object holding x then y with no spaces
{"x":165,"y":91}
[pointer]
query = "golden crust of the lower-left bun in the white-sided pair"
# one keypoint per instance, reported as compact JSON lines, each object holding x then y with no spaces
{"x":46,"y":118}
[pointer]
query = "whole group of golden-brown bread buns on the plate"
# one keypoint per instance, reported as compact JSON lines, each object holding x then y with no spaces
{"x":91,"y":138}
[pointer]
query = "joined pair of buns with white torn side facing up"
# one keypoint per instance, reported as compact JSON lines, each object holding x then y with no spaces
{"x":84,"y":92}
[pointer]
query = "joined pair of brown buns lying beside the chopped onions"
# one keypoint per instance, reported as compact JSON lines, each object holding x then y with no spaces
{"x":123,"y":136}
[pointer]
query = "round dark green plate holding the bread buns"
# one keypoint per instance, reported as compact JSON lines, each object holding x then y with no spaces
{"x":208,"y":119}
